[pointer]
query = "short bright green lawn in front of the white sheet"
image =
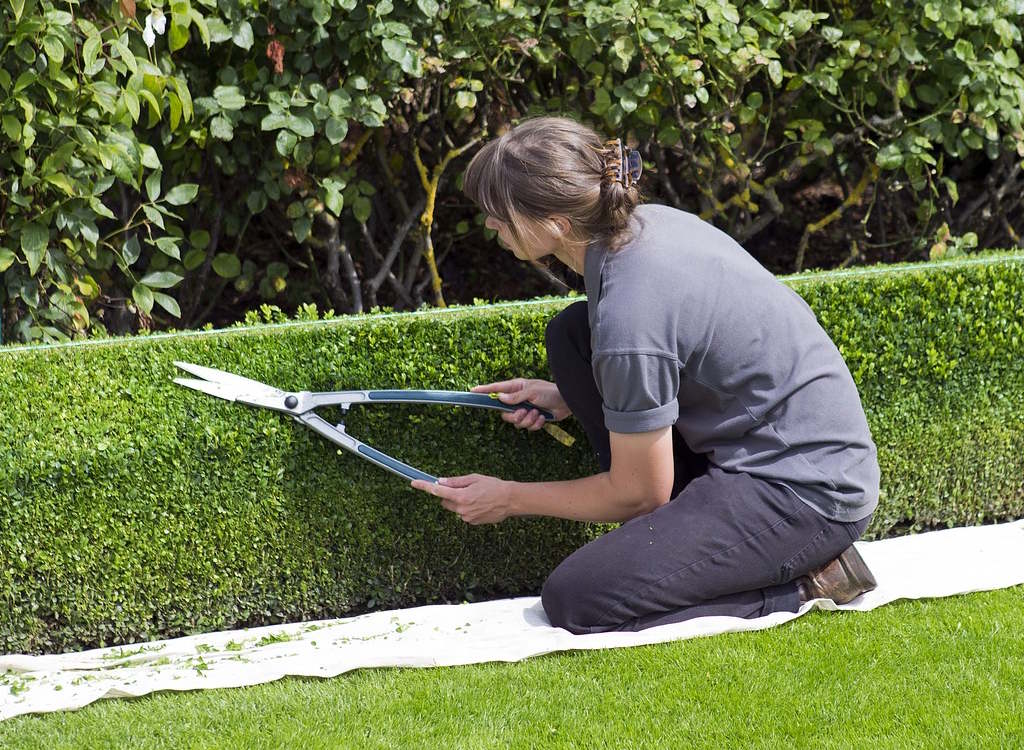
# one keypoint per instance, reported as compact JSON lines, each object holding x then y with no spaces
{"x":933,"y":674}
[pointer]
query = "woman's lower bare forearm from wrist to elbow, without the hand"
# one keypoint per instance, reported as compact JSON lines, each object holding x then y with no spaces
{"x":591,"y":498}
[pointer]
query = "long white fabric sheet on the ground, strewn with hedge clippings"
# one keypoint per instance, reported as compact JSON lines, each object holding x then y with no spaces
{"x":936,"y":564}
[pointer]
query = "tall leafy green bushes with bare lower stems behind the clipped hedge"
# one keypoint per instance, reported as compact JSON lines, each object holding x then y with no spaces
{"x":168,"y":164}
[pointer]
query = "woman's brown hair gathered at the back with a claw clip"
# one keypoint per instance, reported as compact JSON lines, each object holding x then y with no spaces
{"x":552,"y":165}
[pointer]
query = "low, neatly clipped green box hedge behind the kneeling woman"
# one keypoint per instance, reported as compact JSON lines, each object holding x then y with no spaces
{"x":133,"y":509}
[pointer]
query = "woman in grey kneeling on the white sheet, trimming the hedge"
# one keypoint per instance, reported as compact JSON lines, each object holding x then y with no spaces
{"x":729,"y":429}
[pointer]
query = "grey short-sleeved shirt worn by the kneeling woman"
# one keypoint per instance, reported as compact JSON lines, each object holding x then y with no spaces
{"x":689,"y":329}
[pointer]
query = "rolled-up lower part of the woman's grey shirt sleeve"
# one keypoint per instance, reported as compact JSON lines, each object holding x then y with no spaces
{"x":639,"y":390}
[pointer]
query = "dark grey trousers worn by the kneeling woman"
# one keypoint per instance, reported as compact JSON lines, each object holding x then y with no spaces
{"x":728,"y":544}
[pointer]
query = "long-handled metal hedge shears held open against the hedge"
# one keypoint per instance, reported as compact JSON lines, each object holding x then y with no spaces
{"x":302,"y":406}
